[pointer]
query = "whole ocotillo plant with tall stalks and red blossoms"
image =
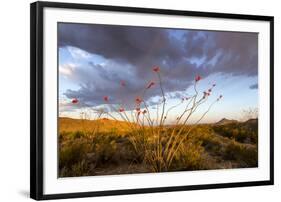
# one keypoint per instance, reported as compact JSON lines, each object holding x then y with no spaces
{"x":154,"y":142}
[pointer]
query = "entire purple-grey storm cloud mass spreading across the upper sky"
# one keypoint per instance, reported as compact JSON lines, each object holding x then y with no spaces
{"x":132,"y":51}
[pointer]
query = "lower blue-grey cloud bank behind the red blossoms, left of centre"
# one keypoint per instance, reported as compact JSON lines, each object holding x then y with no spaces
{"x":105,"y":80}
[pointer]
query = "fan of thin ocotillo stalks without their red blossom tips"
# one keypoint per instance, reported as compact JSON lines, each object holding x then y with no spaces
{"x":160,"y":156}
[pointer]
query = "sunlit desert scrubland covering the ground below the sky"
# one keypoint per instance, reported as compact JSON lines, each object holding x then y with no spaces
{"x":115,"y":149}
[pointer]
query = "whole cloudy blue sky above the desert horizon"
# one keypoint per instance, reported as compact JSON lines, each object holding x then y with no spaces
{"x":95,"y":59}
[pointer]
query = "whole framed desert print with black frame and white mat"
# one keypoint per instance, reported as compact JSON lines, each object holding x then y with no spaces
{"x":135,"y":100}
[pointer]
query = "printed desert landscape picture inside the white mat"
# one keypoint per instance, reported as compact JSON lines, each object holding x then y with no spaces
{"x":146,"y":100}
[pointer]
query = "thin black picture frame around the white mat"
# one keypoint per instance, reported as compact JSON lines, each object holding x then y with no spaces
{"x":36,"y":98}
